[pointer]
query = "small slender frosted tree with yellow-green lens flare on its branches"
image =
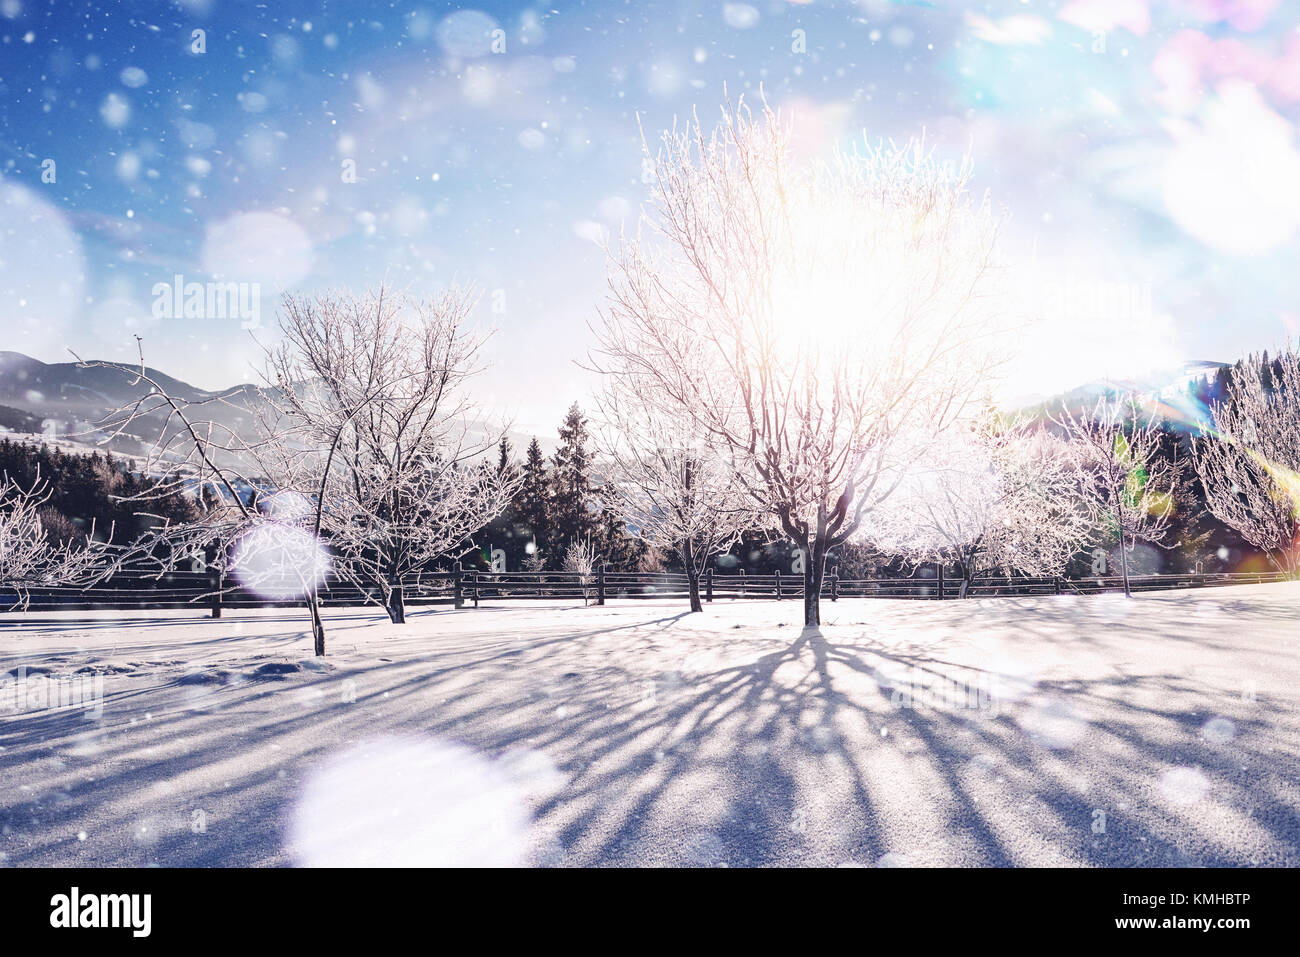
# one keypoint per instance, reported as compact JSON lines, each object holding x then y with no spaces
{"x":1125,"y":479}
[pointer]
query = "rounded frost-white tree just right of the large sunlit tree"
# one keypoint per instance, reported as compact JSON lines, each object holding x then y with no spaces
{"x":996,"y":496}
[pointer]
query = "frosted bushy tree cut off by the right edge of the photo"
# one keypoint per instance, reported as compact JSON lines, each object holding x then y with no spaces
{"x":1249,"y":457}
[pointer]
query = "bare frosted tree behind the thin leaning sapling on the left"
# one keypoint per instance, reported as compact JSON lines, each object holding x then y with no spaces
{"x":375,"y":388}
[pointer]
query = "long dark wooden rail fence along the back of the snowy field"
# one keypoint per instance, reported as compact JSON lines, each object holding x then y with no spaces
{"x":203,"y":591}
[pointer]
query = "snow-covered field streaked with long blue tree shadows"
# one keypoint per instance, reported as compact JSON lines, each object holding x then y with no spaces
{"x":1042,"y":731}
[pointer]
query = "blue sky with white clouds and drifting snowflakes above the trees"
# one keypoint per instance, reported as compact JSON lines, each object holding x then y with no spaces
{"x":1146,"y":151}
